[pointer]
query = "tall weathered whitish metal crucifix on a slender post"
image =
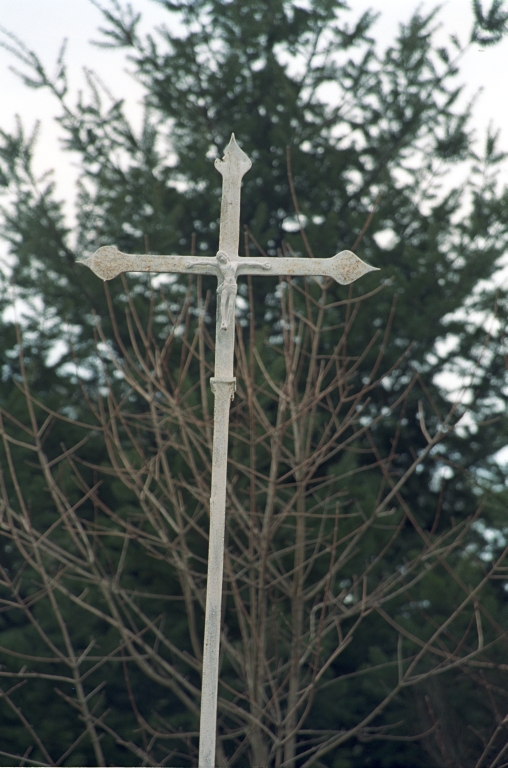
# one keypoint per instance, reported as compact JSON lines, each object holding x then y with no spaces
{"x":226,"y":265}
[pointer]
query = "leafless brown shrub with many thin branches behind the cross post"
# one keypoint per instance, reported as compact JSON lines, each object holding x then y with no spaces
{"x":324,"y":552}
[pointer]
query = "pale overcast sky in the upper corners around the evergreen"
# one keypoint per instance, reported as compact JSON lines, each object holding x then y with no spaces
{"x":43,"y":24}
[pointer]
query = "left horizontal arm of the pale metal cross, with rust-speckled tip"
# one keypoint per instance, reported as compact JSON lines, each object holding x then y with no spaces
{"x":108,"y":262}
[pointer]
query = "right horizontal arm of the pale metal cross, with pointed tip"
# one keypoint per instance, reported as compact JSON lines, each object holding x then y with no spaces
{"x":344,"y":267}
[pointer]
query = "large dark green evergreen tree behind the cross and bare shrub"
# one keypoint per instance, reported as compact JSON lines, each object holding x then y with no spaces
{"x":362,"y":148}
